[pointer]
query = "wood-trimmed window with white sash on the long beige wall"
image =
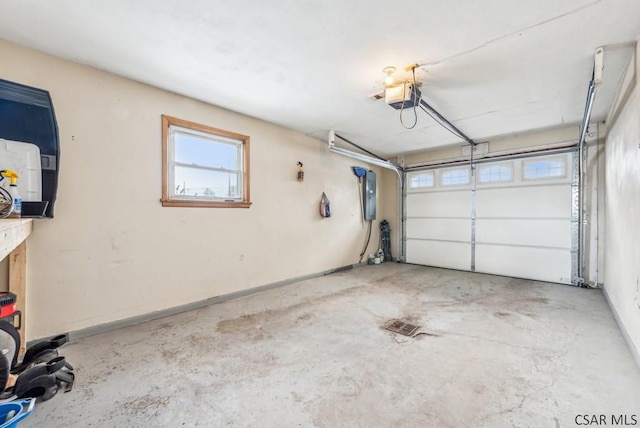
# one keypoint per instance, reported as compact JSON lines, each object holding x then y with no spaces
{"x":204,"y":166}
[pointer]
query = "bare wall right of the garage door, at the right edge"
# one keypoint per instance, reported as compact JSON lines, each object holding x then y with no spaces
{"x":622,"y":201}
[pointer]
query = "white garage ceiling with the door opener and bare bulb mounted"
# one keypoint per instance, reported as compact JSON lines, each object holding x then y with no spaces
{"x":492,"y":67}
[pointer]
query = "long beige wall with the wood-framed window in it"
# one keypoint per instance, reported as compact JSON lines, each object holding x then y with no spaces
{"x":113,"y":252}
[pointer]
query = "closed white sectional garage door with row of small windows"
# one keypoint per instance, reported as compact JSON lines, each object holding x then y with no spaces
{"x":515,"y":217}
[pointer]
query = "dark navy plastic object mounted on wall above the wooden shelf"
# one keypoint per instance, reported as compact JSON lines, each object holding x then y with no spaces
{"x":26,"y":114}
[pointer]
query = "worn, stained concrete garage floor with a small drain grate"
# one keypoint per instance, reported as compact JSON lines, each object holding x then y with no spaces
{"x":502,"y":352}
